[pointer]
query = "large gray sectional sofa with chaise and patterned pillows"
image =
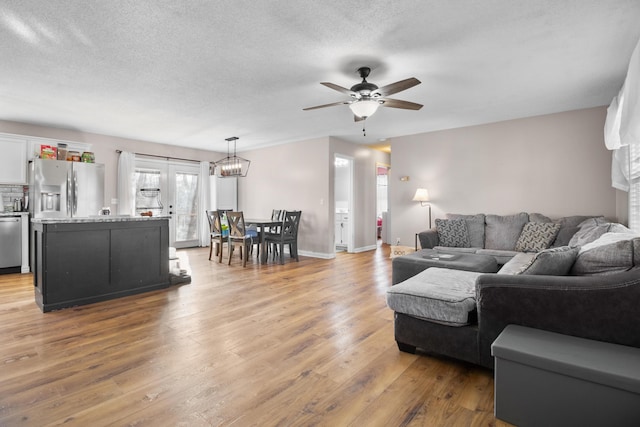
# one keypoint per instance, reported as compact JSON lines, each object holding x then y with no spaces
{"x":580,"y":278}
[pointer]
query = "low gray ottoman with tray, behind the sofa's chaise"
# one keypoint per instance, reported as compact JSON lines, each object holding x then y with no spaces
{"x":407,"y":266}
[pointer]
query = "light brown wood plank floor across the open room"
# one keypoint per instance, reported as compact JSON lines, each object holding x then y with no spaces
{"x":308,"y":343}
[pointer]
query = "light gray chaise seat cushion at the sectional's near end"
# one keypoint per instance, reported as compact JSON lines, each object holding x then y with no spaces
{"x":437,"y":294}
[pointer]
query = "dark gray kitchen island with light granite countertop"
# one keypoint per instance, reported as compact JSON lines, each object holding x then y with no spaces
{"x":80,"y":261}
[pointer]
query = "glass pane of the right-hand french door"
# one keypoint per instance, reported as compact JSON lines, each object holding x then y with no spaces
{"x":186,"y":209}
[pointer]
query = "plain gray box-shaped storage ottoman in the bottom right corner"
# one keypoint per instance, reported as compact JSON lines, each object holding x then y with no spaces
{"x":548,"y":379}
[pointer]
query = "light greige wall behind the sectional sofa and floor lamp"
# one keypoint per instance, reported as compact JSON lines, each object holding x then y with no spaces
{"x":554,"y":164}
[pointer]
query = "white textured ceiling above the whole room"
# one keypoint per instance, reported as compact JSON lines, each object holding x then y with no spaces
{"x":193,"y":72}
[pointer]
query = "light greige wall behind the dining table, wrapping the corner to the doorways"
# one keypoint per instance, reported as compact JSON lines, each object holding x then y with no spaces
{"x":300,"y":176}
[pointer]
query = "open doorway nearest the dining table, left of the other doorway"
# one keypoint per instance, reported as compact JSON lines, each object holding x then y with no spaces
{"x":343,"y":203}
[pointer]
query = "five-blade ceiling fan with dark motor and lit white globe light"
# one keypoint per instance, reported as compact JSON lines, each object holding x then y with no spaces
{"x":367,"y":97}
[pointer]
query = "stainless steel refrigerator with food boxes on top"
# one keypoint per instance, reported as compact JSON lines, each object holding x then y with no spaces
{"x":61,"y":189}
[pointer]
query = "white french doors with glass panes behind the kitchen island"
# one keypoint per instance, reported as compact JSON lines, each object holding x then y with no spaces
{"x":170,"y":188}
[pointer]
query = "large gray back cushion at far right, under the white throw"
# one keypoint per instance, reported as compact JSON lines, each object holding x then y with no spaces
{"x":610,"y":253}
